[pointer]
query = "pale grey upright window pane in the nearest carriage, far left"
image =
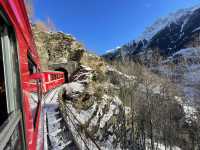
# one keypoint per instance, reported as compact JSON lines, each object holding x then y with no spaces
{"x":10,"y":61}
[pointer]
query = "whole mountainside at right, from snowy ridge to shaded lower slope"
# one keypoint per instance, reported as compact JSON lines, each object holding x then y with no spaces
{"x":173,"y":40}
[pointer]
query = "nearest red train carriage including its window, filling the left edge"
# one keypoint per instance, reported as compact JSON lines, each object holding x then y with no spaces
{"x":20,"y":126}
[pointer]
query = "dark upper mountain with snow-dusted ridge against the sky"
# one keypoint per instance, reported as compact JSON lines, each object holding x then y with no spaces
{"x":168,"y":34}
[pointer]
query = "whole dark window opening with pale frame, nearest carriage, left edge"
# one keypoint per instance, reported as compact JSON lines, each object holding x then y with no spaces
{"x":11,"y":125}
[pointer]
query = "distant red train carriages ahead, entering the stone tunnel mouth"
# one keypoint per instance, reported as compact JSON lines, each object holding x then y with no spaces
{"x":49,"y":80}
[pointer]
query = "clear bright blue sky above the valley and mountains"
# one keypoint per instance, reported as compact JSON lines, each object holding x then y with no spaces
{"x":105,"y":24}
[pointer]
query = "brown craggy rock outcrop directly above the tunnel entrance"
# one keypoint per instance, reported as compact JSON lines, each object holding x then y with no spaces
{"x":57,"y":48}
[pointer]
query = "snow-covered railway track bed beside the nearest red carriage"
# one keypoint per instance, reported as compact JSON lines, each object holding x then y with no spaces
{"x":59,"y":136}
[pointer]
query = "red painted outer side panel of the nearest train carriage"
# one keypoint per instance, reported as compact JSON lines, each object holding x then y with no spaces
{"x":16,"y":14}
